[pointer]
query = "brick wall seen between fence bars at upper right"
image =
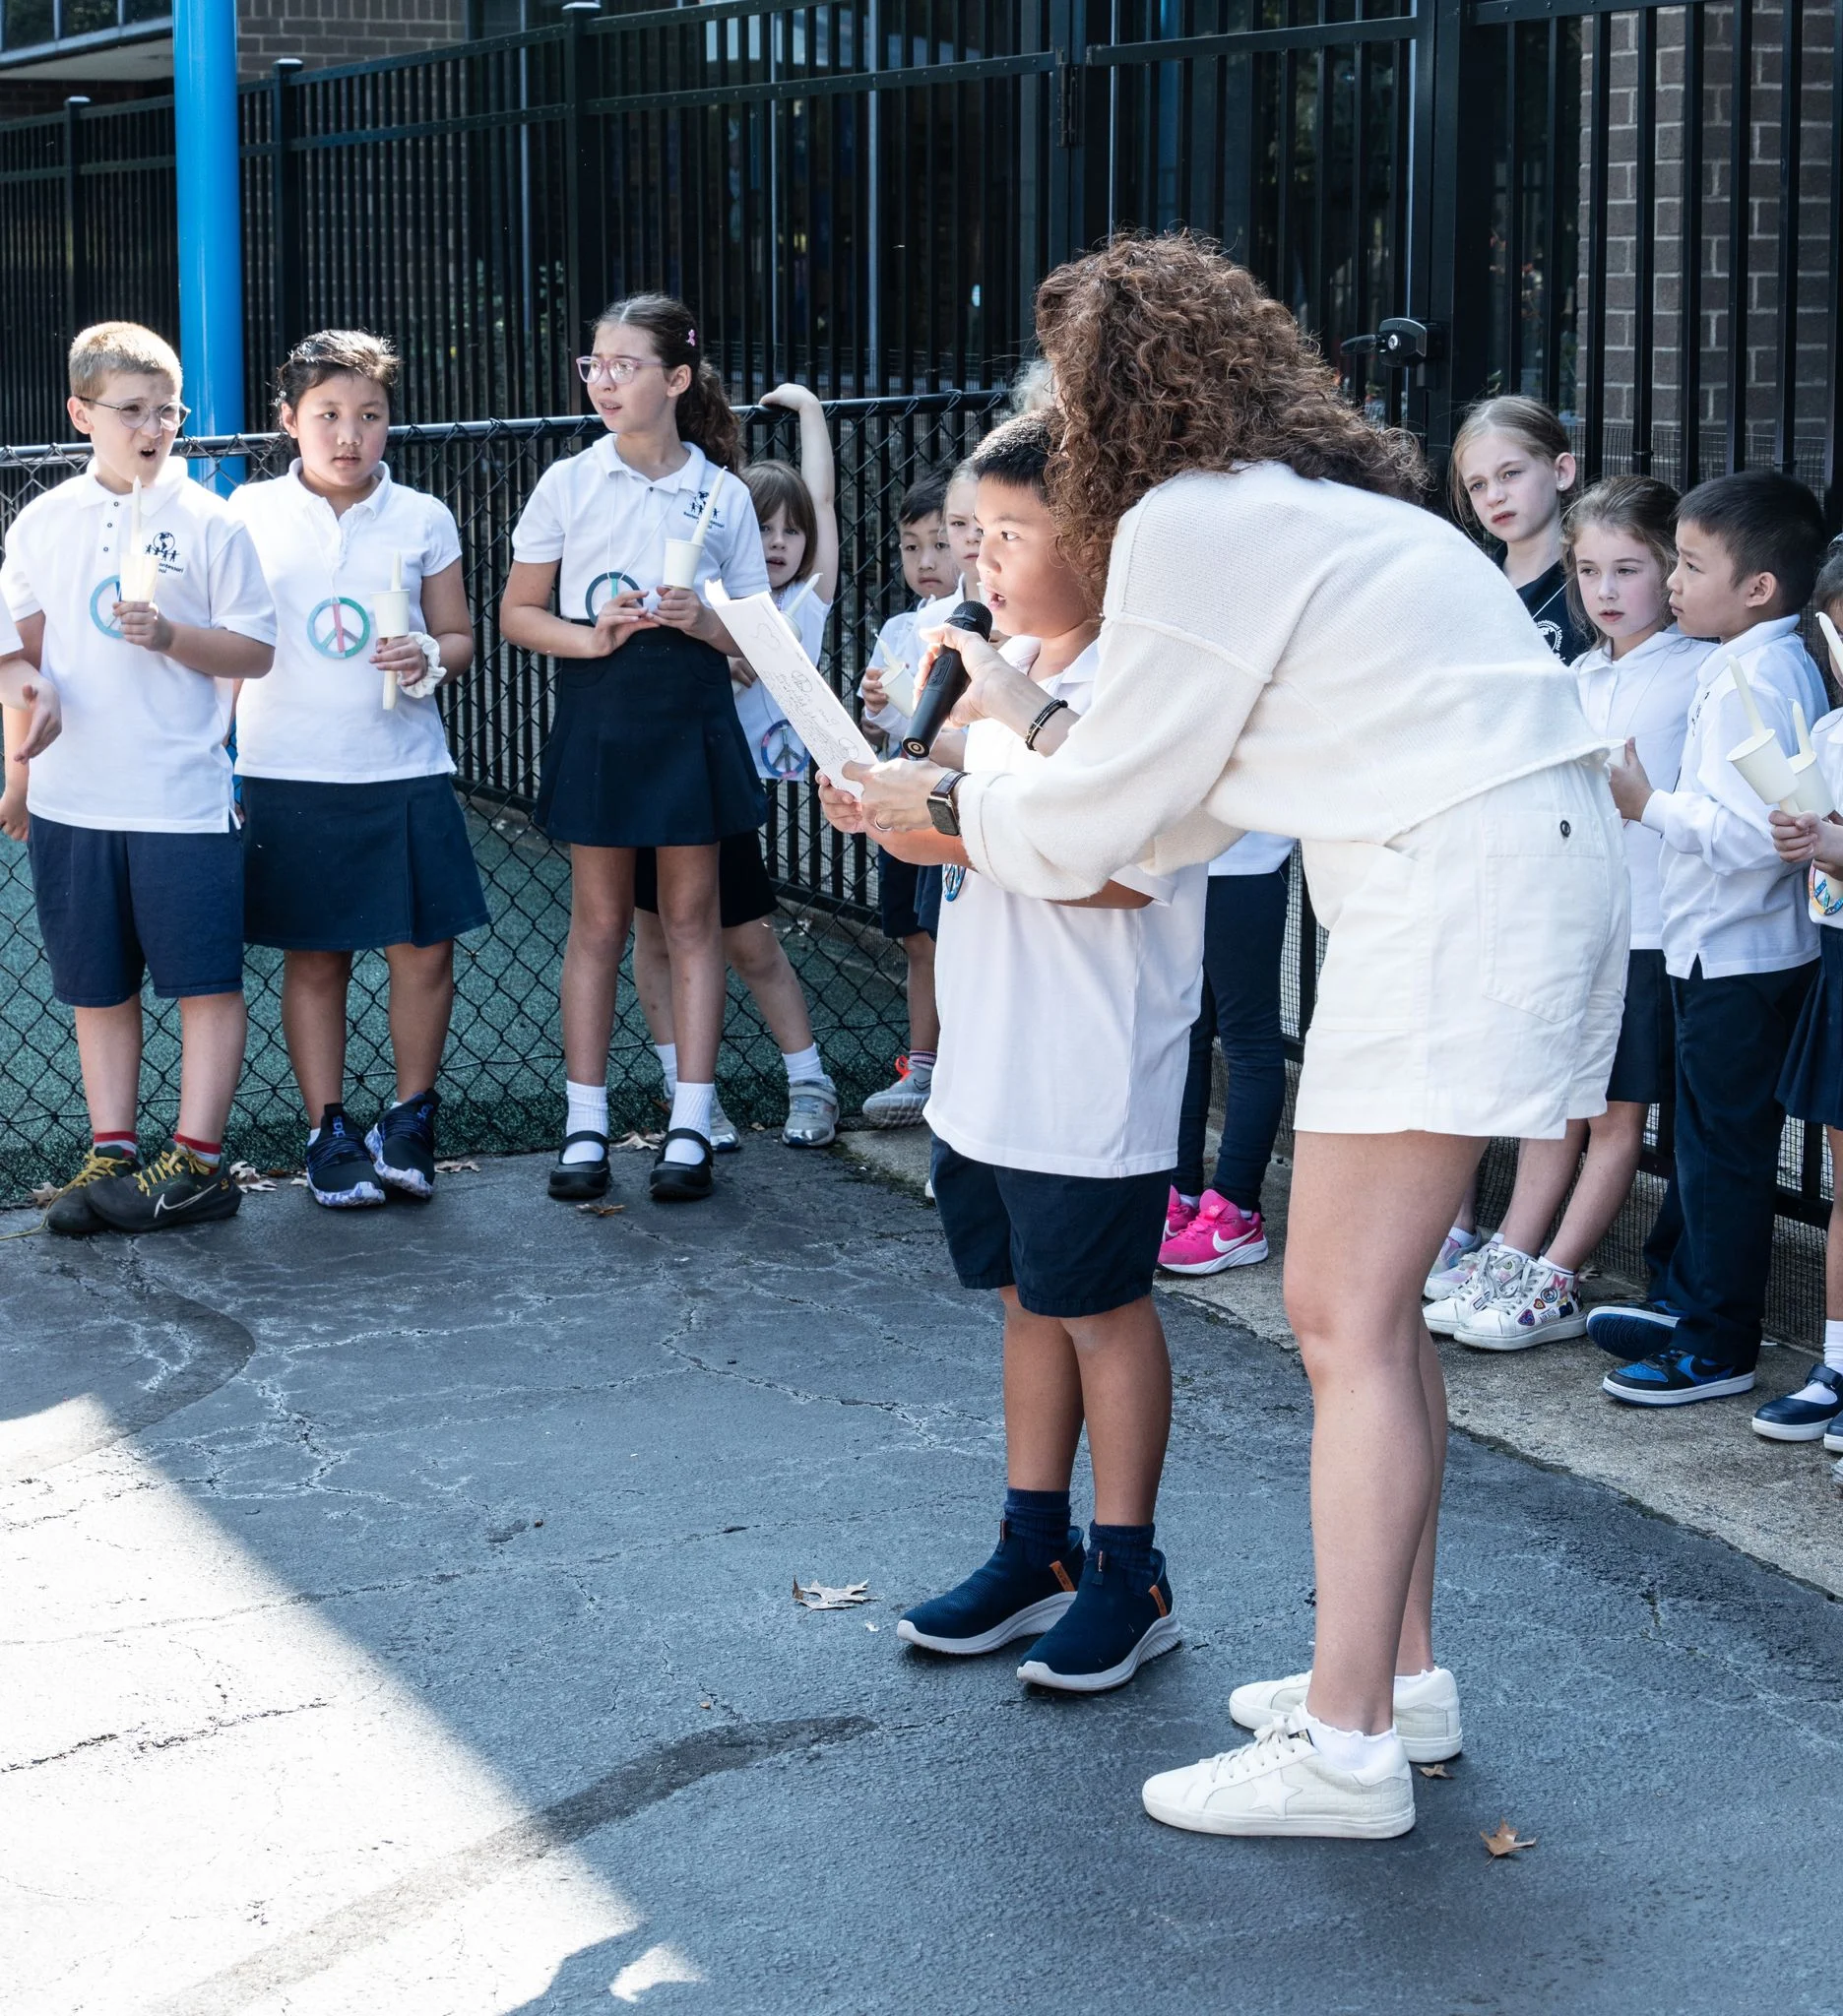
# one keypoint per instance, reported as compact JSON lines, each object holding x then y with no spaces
{"x":1725,"y":322}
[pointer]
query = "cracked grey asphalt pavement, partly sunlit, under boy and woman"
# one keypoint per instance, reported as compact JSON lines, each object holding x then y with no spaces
{"x":396,"y":1616}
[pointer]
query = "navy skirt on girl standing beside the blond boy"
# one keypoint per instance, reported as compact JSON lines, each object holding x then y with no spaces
{"x":352,"y":868}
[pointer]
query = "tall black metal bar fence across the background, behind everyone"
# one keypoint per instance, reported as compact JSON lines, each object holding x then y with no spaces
{"x":1630,"y":211}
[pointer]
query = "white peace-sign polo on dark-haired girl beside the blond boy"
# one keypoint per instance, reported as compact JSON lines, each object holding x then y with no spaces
{"x":320,"y":717}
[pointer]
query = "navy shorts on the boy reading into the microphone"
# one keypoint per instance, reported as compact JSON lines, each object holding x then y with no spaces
{"x":1070,"y":1245}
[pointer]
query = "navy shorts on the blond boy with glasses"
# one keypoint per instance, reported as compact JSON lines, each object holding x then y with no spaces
{"x":116,"y":906}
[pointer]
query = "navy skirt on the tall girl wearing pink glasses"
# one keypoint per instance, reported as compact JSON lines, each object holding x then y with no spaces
{"x":646,"y":749}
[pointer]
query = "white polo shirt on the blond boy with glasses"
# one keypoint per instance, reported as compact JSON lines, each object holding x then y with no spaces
{"x":144,"y":739}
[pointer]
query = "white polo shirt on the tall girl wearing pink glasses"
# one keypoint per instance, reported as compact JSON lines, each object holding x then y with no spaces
{"x":606,"y":525}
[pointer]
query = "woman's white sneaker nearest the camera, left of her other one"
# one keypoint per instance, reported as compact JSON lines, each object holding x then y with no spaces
{"x":1283,"y":1785}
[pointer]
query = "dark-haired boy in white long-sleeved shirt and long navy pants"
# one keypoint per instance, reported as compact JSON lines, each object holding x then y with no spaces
{"x":1739,"y":944}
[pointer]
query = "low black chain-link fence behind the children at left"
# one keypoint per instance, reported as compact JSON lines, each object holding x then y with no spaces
{"x":503,"y":1072}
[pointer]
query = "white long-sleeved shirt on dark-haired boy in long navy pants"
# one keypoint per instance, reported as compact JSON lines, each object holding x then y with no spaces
{"x":1727,"y":898}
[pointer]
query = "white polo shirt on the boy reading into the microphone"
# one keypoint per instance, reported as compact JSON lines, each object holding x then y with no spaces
{"x":1066,"y":1033}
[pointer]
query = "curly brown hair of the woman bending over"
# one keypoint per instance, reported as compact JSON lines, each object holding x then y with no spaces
{"x":1171,"y":358}
